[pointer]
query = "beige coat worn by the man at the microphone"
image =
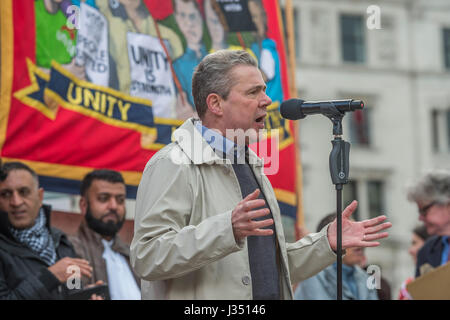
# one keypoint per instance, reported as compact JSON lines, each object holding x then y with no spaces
{"x":183,"y":245}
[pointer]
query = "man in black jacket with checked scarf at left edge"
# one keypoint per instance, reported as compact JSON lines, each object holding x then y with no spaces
{"x":36,"y":260}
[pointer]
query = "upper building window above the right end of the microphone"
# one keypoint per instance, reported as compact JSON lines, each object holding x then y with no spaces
{"x":352,"y":38}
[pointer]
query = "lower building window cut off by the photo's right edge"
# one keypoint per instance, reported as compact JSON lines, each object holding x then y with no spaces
{"x":440,"y":126}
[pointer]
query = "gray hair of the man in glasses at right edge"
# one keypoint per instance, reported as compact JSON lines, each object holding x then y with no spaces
{"x":434,"y":186}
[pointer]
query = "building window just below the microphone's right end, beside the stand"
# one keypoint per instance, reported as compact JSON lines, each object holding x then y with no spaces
{"x":359,"y":128}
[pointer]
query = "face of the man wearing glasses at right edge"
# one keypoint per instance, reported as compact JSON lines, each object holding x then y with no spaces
{"x":436,"y":219}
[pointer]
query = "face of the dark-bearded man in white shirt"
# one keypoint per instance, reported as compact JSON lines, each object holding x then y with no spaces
{"x":105,"y":201}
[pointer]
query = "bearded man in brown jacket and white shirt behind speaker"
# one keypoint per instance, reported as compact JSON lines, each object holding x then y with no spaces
{"x":103,"y":205}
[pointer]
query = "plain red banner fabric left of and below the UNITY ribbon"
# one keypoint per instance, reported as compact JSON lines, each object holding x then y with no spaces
{"x":32,"y":136}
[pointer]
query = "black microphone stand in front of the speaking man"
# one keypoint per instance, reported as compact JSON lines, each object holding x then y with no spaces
{"x":339,"y":167}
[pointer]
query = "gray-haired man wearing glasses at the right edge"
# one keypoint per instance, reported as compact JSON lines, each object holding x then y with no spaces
{"x":432,"y":196}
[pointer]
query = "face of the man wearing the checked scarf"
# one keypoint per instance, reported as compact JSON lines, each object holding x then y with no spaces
{"x":21,"y":198}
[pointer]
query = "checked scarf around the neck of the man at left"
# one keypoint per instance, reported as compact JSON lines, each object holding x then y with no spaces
{"x":38,"y":239}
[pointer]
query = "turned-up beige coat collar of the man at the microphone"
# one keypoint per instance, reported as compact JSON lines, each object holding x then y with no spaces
{"x":197,"y":149}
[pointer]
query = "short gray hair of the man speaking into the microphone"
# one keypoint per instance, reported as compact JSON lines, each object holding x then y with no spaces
{"x":213,"y":75}
